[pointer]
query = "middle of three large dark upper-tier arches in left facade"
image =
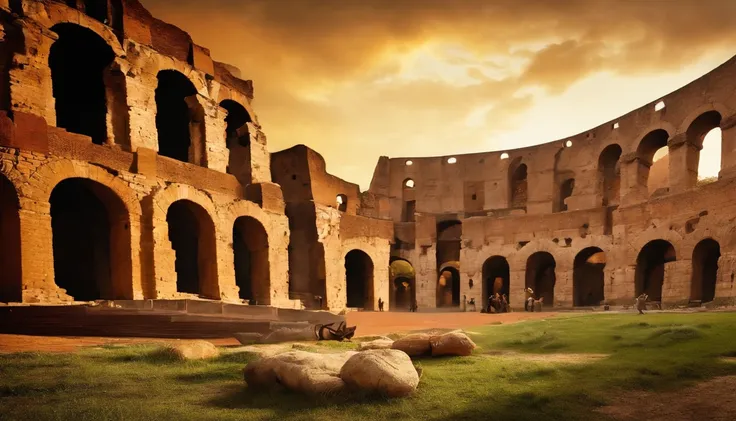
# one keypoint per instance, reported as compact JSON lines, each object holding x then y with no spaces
{"x":179,"y":118}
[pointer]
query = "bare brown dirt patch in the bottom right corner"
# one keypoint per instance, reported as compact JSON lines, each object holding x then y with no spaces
{"x":712,"y":400}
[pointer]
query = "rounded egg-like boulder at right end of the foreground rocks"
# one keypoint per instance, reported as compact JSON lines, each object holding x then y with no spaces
{"x":388,"y":372}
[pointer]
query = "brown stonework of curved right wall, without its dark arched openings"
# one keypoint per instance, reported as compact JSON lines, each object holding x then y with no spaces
{"x":476,"y":188}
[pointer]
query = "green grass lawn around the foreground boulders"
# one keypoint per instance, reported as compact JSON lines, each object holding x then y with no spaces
{"x":650,"y":352}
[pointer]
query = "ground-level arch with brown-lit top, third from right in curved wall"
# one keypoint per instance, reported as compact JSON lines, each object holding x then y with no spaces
{"x":588,"y":278}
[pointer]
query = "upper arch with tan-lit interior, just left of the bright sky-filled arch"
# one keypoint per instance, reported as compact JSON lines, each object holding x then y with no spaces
{"x":654,"y":161}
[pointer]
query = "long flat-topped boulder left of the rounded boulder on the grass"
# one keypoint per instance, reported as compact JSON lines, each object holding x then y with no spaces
{"x":300,"y":371}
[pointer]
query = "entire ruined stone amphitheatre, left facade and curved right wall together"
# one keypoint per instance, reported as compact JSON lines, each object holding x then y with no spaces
{"x":134,"y":167}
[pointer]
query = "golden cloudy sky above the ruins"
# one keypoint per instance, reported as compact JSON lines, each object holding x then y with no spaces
{"x":357,"y":79}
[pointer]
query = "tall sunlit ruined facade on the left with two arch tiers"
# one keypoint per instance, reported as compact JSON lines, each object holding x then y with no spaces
{"x":134,"y":167}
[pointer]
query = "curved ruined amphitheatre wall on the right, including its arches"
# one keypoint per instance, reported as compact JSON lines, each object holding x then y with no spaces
{"x":579,"y":220}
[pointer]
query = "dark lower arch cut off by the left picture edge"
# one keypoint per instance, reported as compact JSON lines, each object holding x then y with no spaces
{"x":10,"y":257}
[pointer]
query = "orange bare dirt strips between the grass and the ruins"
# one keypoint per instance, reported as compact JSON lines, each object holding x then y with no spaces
{"x":368,"y":323}
